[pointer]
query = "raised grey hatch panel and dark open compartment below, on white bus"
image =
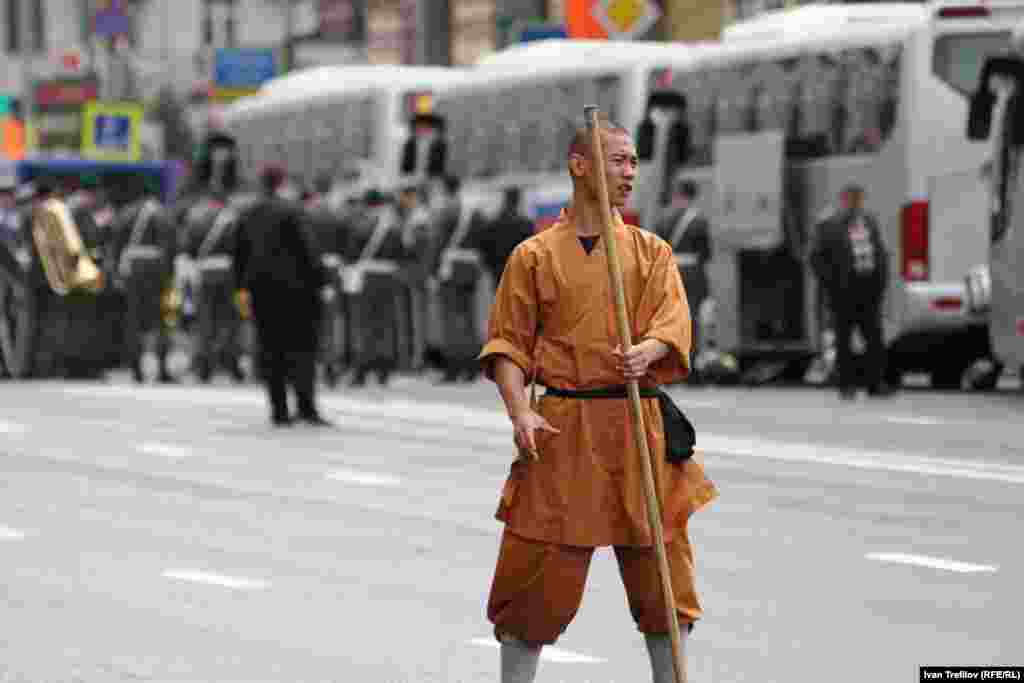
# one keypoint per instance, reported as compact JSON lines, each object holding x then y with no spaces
{"x":757,"y":282}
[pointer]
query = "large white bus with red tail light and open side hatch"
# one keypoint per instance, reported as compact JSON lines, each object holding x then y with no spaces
{"x":793,"y":106}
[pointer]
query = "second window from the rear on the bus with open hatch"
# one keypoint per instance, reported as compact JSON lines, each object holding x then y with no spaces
{"x":819,"y":106}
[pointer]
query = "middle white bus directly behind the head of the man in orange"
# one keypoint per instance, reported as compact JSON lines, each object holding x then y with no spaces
{"x":510,"y":122}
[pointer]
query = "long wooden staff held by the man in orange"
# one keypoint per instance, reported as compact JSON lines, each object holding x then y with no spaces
{"x":639,"y":432}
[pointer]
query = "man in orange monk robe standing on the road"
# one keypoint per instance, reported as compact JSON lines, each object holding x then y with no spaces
{"x":578,"y":485}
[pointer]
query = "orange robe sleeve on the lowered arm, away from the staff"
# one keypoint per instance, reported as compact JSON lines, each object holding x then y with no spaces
{"x":513,"y":328}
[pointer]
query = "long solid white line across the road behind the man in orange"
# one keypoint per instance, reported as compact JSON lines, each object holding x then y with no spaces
{"x":404,"y":418}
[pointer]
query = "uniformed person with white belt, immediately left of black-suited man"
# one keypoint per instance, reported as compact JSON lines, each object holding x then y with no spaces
{"x":209,"y":242}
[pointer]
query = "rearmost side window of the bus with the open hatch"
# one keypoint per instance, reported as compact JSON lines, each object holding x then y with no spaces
{"x":872,"y":96}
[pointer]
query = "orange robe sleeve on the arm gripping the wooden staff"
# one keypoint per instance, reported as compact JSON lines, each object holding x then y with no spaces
{"x":665,"y":315}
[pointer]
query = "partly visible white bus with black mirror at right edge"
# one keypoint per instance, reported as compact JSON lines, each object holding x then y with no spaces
{"x":999,"y":286}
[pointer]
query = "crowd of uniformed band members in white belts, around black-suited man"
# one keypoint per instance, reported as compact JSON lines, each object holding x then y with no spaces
{"x":406,"y":276}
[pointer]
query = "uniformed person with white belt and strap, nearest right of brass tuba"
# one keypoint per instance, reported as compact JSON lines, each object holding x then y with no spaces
{"x":145,"y":245}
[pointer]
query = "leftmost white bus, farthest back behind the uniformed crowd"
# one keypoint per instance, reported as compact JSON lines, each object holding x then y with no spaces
{"x":353,"y":123}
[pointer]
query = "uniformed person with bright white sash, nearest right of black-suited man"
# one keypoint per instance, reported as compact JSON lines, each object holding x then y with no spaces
{"x":373,"y":287}
